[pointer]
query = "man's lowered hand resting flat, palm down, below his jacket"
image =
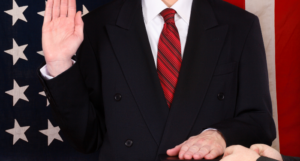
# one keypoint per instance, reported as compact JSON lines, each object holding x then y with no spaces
{"x":209,"y":145}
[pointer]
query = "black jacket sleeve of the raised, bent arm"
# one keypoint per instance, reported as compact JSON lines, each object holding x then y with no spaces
{"x":76,"y":100}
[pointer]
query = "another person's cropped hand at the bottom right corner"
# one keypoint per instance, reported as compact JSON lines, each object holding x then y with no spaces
{"x":257,"y":152}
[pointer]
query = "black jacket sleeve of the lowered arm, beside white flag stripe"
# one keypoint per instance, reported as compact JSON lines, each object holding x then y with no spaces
{"x":252,"y":121}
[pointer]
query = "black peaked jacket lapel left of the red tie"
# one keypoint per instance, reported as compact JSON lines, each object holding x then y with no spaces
{"x":132,"y":49}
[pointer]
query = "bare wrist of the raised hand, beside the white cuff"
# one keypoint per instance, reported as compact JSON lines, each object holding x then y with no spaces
{"x":57,"y":67}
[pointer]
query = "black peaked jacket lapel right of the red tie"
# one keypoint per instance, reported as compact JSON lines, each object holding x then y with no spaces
{"x":204,"y":43}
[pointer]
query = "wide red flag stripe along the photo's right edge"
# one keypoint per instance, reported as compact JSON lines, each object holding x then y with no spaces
{"x":287,"y":35}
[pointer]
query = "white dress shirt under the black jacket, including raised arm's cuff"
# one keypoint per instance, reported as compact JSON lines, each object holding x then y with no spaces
{"x":154,"y":23}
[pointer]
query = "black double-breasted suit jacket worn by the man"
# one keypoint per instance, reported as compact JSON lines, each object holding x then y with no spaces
{"x":111,"y":98}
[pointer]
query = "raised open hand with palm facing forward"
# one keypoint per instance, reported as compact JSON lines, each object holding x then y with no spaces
{"x":62,"y":34}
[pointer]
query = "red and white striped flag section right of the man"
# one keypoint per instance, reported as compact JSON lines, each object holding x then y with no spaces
{"x":280,"y":24}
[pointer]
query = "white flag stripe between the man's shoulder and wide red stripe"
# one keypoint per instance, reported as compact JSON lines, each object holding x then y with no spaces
{"x":265,"y":9}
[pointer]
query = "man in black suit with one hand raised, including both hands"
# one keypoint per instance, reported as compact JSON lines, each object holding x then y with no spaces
{"x":118,"y":94}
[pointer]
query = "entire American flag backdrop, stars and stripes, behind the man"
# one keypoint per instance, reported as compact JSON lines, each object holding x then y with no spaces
{"x":27,"y":128}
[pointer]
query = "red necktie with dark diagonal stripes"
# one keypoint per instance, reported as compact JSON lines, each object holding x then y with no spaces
{"x":169,"y":55}
